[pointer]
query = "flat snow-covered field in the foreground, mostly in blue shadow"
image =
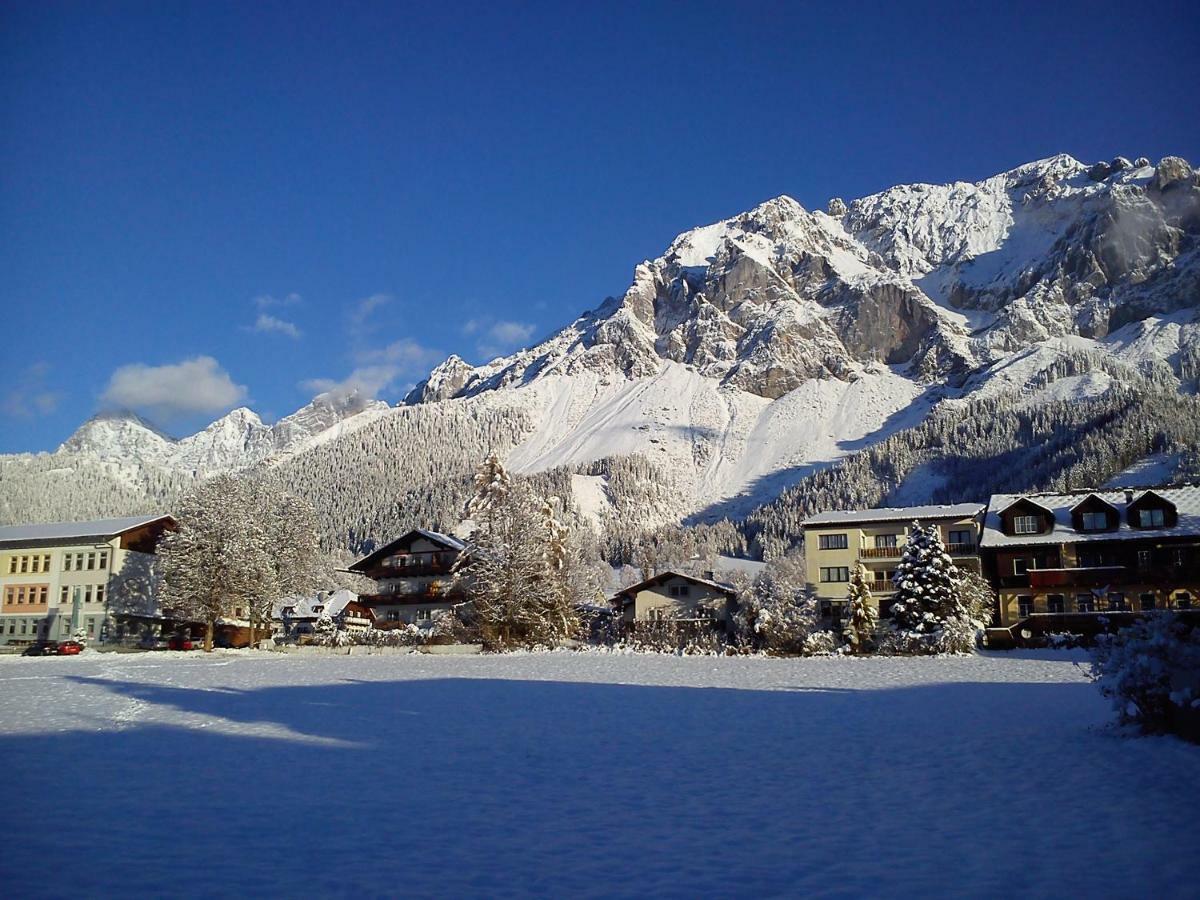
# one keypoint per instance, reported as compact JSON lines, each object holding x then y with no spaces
{"x":584,"y":775}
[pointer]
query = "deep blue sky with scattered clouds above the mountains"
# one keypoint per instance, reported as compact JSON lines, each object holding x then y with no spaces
{"x":205,"y":206}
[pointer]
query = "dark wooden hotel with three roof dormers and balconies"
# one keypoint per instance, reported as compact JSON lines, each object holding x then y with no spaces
{"x":1059,"y":560}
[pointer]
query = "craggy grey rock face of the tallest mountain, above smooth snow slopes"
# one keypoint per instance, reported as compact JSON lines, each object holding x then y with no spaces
{"x":938,"y":280}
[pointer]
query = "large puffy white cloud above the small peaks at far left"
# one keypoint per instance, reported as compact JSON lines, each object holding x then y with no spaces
{"x":195,"y":386}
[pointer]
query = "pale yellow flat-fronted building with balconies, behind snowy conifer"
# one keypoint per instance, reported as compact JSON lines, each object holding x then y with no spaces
{"x":835,"y":543}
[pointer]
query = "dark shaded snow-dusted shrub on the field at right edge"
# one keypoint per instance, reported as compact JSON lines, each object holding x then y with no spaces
{"x":1151,"y":671}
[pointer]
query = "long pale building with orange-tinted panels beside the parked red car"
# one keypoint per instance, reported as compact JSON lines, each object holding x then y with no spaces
{"x":59,"y":578}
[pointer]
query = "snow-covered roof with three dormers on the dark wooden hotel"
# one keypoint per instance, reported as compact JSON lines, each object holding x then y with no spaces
{"x":1186,"y":501}
